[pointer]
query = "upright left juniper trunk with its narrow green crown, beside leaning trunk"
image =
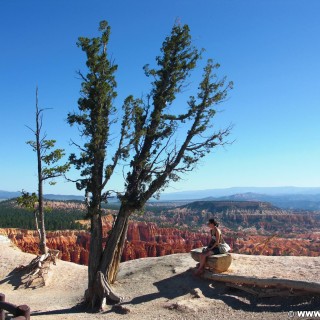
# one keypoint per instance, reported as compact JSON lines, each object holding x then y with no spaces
{"x":94,"y":119}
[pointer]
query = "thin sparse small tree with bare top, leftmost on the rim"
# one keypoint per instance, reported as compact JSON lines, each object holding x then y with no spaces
{"x":48,"y":170}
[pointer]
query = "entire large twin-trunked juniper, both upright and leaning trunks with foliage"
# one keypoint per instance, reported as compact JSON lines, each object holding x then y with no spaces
{"x":150,"y":139}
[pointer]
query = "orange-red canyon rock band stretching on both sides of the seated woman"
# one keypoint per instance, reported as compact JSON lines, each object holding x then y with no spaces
{"x":148,"y":240}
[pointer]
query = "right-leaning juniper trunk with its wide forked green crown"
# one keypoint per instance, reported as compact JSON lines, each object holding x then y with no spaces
{"x":159,"y":153}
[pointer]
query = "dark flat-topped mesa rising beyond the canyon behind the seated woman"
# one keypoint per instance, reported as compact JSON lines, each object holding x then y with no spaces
{"x":232,"y":214}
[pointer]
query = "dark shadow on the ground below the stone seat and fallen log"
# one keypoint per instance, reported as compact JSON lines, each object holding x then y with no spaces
{"x":185,"y":283}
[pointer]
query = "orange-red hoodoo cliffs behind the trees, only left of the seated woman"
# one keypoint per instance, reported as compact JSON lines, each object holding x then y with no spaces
{"x":143,"y":240}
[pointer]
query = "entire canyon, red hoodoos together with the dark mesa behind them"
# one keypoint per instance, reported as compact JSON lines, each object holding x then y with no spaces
{"x":249,"y":227}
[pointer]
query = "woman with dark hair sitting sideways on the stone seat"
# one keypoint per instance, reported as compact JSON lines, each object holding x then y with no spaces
{"x":212,"y":248}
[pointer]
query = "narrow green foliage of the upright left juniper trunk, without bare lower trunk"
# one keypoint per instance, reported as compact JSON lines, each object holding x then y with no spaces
{"x":94,"y":118}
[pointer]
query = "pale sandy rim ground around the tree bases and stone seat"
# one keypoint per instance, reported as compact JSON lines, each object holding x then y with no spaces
{"x":160,"y":288}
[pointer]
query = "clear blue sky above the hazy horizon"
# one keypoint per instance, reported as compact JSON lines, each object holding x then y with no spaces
{"x":270,"y":49}
